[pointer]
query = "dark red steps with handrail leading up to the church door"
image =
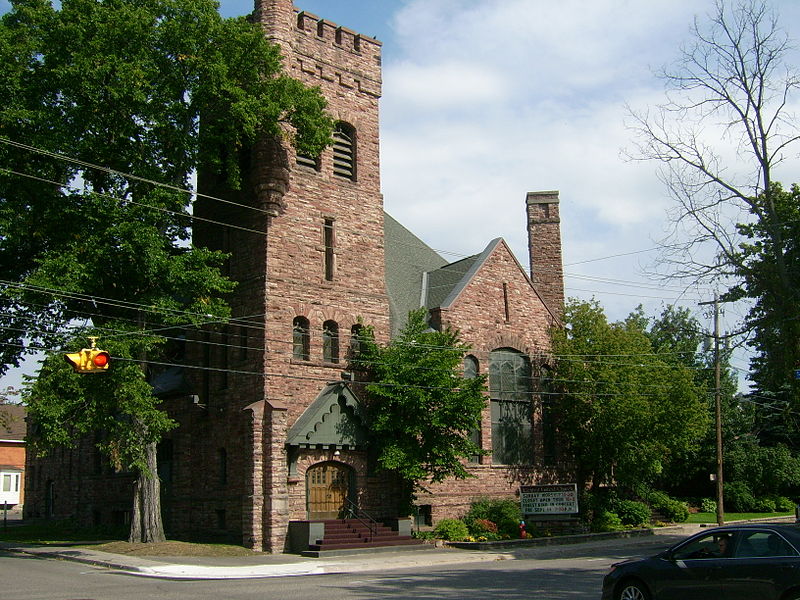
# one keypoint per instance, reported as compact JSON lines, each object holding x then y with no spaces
{"x":352,"y":536}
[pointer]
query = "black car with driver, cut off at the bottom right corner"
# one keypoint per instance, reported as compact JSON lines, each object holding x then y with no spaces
{"x":736,"y":562}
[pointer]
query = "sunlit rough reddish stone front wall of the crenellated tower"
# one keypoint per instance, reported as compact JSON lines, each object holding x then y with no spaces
{"x":347,"y":69}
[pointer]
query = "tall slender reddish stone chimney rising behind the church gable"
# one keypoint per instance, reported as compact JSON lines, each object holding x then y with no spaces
{"x":544,"y":245}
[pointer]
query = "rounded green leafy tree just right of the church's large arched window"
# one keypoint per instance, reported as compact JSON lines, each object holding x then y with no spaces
{"x":627,"y":411}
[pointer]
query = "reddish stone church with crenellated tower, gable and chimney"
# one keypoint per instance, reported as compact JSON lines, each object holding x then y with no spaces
{"x":269,"y":428}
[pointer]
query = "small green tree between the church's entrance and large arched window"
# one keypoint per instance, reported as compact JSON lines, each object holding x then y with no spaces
{"x":421,"y":409}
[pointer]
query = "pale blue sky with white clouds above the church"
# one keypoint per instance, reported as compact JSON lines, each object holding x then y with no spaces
{"x":486,"y":100}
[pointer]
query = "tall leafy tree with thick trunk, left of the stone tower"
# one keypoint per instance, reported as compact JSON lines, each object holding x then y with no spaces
{"x":100,"y":134}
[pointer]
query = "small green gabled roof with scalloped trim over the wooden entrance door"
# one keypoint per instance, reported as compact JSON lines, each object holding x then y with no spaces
{"x":332,"y":420}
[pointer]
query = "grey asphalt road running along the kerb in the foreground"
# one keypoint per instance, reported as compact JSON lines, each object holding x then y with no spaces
{"x":556,"y":573}
